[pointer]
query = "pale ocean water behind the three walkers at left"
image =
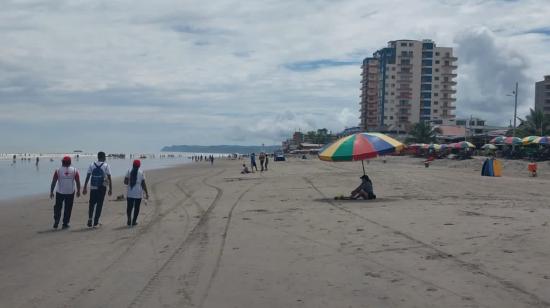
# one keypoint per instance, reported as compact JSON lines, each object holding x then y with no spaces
{"x":24,"y":178}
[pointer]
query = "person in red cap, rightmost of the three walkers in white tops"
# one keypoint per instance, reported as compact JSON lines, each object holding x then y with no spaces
{"x":135,"y":179}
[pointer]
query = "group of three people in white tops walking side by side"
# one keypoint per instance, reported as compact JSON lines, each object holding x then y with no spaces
{"x":67,"y":181}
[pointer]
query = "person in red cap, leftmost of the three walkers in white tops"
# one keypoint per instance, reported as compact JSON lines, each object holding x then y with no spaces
{"x":64,"y":178}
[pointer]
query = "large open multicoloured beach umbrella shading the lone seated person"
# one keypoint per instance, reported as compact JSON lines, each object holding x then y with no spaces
{"x":360,"y":146}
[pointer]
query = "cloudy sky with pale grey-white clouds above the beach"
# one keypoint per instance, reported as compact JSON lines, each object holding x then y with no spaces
{"x":137,"y":75}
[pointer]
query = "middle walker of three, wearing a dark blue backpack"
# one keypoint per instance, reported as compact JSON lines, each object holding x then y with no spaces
{"x":100,"y":174}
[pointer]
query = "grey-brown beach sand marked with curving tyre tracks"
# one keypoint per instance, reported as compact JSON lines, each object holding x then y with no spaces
{"x":210,"y":237}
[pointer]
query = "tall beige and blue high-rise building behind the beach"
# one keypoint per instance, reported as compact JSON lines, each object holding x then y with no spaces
{"x":407,"y":82}
